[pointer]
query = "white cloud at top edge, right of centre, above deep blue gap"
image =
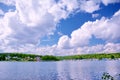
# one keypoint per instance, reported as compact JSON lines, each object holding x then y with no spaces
{"x":93,"y":5}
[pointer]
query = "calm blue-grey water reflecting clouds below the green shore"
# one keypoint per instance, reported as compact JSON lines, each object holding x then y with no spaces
{"x":61,"y":70}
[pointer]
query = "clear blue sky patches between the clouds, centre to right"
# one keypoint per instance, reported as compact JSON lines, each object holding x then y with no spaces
{"x":77,"y":20}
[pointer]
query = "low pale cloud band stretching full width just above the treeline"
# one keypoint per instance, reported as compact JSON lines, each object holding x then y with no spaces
{"x":54,"y":50}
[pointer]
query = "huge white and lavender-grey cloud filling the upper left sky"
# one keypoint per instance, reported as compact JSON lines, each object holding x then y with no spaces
{"x":33,"y":20}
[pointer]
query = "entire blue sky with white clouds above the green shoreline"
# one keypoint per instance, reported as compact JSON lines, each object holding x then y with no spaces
{"x":60,"y":27}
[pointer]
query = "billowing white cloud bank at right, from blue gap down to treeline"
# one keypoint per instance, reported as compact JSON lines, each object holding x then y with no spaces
{"x":106,"y":29}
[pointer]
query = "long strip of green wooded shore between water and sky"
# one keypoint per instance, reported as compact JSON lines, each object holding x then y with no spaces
{"x":32,"y":57}
